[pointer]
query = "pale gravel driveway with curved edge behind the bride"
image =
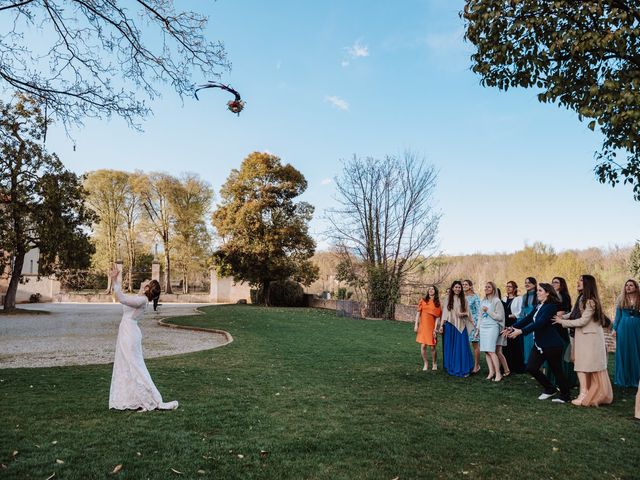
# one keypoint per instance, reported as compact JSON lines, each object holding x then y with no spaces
{"x":81,"y":334}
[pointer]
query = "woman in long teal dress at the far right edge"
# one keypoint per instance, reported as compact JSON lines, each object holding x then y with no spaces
{"x":626,"y":330}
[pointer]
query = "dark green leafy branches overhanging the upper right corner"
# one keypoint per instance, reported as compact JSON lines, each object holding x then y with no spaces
{"x":584,"y":56}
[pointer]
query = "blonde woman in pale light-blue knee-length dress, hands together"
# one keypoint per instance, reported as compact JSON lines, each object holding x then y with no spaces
{"x":490,"y":324}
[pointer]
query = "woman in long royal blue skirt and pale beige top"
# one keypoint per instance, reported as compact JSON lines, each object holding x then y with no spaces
{"x":457,"y":324}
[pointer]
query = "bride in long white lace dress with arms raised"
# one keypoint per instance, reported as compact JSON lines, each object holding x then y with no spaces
{"x":131,"y":384}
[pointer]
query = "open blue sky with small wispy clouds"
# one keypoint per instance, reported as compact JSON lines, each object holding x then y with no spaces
{"x":326,"y":80}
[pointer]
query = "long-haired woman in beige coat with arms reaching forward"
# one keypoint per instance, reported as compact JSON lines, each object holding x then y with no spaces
{"x":590,"y":348}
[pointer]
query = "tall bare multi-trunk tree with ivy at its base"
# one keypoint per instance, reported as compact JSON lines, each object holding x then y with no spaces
{"x":385,"y":226}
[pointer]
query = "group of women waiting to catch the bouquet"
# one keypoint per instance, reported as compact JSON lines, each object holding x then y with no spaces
{"x":539,"y":332}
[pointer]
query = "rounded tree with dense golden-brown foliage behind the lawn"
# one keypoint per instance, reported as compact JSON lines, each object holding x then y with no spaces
{"x":264,"y":231}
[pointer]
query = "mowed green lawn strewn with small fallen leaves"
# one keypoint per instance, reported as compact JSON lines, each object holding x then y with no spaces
{"x":303,"y":394}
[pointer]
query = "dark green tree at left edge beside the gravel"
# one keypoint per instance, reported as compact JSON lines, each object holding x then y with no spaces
{"x":41,"y":203}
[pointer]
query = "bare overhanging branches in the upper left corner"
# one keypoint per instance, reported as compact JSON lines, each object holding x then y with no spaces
{"x":95,"y":58}
